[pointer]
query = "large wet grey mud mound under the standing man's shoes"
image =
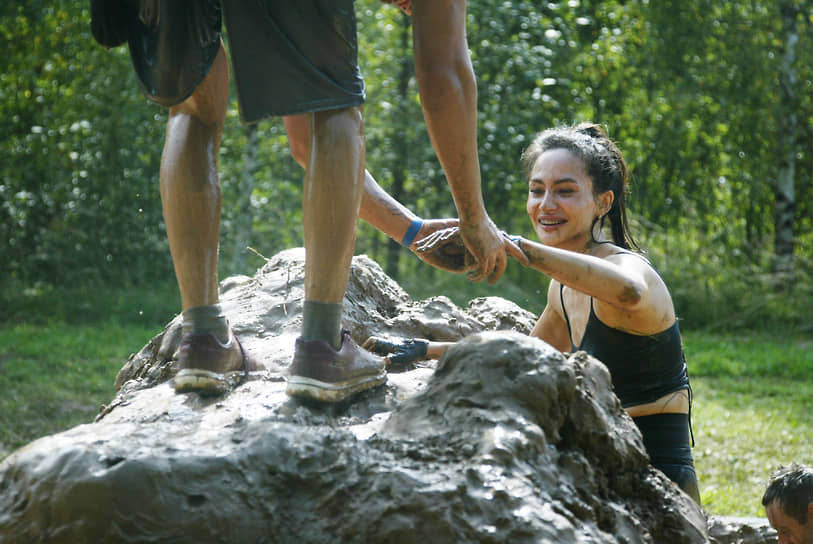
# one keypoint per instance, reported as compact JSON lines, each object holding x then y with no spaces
{"x":504,"y":440}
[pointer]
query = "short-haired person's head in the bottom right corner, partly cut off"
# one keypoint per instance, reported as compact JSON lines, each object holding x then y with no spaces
{"x":788,"y":502}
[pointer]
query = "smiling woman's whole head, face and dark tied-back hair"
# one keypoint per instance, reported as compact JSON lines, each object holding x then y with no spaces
{"x":596,"y":168}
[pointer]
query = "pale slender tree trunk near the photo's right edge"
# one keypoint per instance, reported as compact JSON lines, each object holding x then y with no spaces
{"x":784,"y":191}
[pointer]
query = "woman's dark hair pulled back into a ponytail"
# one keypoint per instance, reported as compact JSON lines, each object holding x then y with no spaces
{"x":603,"y":162}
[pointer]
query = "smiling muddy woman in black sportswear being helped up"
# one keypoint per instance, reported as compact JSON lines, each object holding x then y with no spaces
{"x":604,"y":297}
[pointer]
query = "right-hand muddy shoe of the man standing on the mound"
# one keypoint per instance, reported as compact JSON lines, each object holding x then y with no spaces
{"x":321,"y":373}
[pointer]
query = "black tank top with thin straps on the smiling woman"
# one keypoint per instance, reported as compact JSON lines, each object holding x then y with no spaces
{"x":642,"y":368}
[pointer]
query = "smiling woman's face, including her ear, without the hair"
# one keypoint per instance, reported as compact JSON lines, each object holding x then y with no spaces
{"x":561,"y":203}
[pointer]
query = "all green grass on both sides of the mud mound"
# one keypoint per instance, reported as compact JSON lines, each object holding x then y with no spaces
{"x":59,"y":359}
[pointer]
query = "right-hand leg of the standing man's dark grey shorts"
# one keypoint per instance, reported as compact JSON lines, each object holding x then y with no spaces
{"x":293,"y":56}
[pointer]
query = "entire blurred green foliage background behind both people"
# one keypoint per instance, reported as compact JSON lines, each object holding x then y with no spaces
{"x":688,"y":89}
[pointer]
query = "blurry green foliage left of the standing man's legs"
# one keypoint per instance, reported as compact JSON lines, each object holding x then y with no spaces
{"x":79,"y":176}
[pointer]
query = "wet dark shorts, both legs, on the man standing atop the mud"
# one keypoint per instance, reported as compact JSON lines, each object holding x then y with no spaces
{"x":288,"y":57}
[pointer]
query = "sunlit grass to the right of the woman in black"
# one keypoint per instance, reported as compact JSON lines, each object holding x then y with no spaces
{"x":751,"y":413}
